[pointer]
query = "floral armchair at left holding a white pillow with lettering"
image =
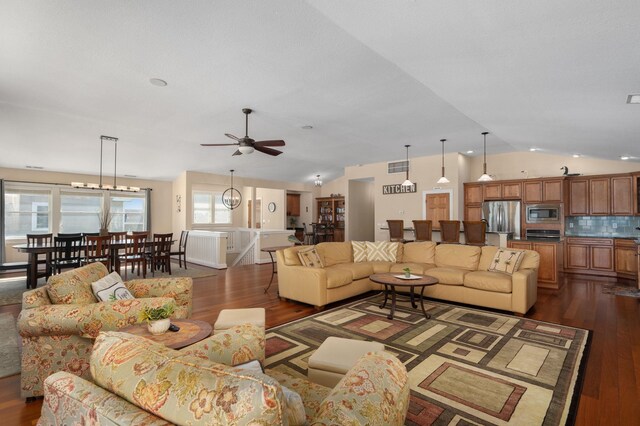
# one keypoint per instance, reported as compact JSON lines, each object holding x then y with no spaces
{"x":59,"y":321}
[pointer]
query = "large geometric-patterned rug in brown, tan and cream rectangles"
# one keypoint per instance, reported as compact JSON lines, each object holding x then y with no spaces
{"x":466,"y":366}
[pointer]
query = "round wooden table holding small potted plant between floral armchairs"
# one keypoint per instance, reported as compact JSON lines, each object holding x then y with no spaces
{"x":191,"y":331}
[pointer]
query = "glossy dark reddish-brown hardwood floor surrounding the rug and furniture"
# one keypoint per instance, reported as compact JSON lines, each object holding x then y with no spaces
{"x":611,"y":388}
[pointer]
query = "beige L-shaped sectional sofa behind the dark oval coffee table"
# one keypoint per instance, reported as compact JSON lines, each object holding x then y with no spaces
{"x":462,"y":272}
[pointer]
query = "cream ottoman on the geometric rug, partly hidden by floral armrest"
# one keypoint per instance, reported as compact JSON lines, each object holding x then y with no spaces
{"x":335,"y":356}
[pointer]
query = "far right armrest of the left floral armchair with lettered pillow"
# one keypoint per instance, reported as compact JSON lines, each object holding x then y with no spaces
{"x":179,"y":288}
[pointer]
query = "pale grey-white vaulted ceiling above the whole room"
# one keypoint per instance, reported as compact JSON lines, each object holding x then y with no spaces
{"x":369,"y":75}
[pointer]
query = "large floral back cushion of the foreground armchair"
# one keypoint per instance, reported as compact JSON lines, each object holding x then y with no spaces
{"x":183,"y":388}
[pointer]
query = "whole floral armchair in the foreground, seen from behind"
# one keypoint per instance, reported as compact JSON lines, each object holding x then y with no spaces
{"x":138,"y":382}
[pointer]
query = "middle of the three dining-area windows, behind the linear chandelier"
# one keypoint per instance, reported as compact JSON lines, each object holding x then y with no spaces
{"x":80,"y":211}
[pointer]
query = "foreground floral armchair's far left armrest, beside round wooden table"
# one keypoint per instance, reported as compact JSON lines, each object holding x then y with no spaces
{"x":237,"y":345}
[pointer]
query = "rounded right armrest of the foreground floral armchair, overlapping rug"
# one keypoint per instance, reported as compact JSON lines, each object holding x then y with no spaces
{"x":374,"y":391}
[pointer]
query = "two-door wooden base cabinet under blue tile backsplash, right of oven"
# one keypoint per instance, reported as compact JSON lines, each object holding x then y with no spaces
{"x":590,"y":255}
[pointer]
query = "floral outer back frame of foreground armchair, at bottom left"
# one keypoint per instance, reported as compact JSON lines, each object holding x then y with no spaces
{"x":68,"y":399}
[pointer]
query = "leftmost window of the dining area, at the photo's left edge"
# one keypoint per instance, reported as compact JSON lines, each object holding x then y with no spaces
{"x":26,"y":211}
